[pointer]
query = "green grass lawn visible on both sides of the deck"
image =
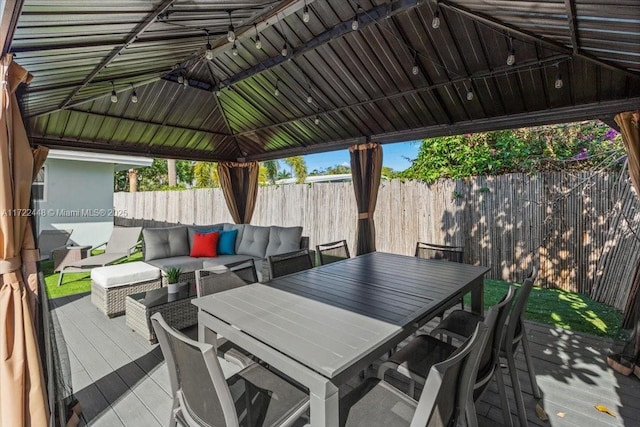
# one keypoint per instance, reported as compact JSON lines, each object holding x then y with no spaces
{"x":563,"y":309}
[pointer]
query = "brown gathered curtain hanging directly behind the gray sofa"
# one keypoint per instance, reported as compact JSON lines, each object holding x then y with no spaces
{"x":239,"y":182}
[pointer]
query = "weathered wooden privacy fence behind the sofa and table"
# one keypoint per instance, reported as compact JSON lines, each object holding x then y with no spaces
{"x":579,"y":228}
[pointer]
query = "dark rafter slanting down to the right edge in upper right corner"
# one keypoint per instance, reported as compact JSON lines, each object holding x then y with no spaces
{"x":559,"y":47}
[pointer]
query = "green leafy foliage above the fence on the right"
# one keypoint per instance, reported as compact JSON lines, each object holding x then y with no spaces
{"x":584,"y":145}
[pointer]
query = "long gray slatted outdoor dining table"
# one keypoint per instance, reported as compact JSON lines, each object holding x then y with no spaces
{"x":324,"y":325}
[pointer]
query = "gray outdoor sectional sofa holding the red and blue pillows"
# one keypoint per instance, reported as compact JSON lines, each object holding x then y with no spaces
{"x":171,"y":247}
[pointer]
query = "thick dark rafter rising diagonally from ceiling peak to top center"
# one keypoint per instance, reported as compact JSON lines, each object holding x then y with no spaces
{"x":365,"y":19}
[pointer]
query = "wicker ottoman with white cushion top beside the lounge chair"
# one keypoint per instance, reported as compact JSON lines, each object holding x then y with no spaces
{"x":111,"y":284}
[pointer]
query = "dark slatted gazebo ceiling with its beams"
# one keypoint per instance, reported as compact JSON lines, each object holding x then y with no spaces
{"x":361,"y":83}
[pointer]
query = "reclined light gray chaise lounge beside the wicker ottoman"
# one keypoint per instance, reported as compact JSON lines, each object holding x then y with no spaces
{"x":121,"y":244}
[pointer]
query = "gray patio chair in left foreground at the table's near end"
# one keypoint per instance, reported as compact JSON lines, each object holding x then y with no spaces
{"x":202,"y":396}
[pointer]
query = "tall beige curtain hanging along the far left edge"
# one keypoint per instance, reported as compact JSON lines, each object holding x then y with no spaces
{"x":22,"y":394}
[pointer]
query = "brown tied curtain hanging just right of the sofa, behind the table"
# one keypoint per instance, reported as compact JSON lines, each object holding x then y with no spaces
{"x":366,"y":168}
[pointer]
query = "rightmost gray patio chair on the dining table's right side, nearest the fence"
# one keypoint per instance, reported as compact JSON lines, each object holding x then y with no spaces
{"x":459,"y":323}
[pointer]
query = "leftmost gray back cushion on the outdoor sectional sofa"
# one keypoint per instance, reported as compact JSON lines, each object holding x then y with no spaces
{"x":165,"y":242}
